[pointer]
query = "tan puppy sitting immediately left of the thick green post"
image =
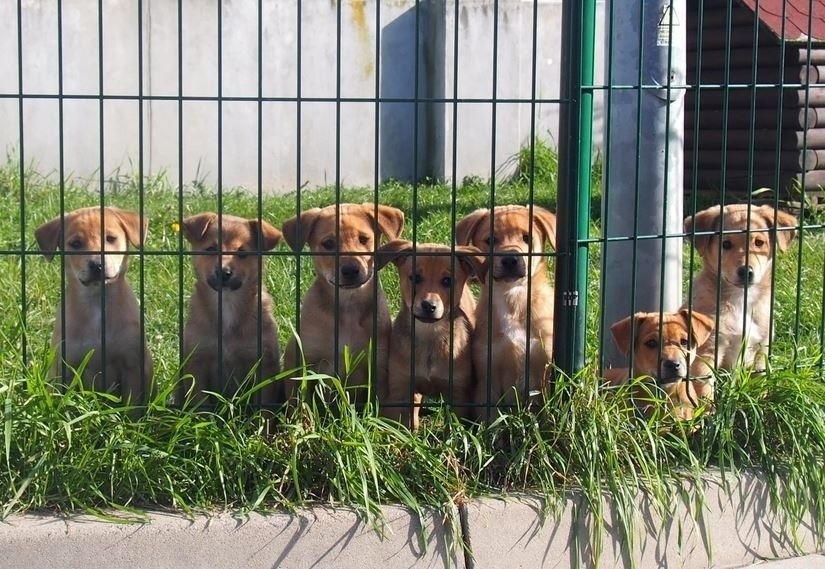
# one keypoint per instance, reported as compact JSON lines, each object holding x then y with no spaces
{"x":501,"y":337}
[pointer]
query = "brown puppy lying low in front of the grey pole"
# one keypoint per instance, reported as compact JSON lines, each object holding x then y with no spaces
{"x":664,"y":349}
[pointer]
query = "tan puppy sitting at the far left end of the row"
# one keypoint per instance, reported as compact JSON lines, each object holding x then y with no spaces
{"x":98,"y":299}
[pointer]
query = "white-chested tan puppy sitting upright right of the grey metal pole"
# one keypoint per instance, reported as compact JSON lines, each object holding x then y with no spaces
{"x":743,"y":271}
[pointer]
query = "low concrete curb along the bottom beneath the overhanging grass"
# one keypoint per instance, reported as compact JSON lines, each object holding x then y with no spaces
{"x":730,"y":527}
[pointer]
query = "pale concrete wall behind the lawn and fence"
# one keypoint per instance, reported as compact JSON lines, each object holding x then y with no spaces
{"x":327,"y":131}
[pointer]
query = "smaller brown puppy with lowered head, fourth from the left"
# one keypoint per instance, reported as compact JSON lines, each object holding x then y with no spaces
{"x":438,"y":315}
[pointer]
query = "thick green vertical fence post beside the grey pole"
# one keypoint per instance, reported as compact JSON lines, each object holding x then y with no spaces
{"x":573,"y":206}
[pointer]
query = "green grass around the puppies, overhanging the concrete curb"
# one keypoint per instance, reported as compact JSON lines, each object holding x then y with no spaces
{"x":67,"y":449}
